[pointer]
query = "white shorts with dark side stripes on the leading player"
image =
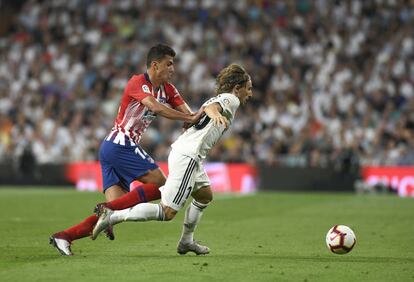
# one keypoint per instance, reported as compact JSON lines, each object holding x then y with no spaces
{"x":185,"y":176}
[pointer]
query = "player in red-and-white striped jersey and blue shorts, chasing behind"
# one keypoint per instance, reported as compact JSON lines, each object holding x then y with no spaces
{"x":121,"y":157}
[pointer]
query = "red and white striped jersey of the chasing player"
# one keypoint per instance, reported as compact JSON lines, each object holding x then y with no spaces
{"x":133,"y":116}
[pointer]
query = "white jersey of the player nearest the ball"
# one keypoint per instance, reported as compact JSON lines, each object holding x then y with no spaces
{"x":197,"y":141}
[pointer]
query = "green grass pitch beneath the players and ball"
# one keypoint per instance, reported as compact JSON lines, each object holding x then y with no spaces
{"x":264,"y":237}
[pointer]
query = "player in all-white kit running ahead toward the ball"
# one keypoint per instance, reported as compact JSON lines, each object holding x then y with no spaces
{"x":186,"y":173}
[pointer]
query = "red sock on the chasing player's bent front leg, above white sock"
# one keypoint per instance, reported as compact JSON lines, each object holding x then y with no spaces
{"x":142,"y":194}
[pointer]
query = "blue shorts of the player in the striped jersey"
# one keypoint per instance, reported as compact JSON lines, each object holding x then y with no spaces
{"x":123,"y":164}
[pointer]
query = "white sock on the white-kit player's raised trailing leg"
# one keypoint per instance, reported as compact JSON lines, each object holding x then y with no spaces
{"x":140,"y":212}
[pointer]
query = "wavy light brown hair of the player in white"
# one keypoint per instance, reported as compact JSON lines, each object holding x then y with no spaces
{"x":231,"y":76}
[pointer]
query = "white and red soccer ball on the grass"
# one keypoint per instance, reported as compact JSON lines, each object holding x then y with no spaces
{"x":340,"y":239}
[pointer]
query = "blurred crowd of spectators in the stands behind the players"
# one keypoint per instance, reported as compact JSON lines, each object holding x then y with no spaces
{"x":333,"y":80}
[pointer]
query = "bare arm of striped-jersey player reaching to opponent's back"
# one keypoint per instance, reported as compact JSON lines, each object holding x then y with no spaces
{"x":162,"y":110}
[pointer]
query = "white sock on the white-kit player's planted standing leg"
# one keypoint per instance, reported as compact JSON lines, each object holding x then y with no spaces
{"x":192,"y":218}
